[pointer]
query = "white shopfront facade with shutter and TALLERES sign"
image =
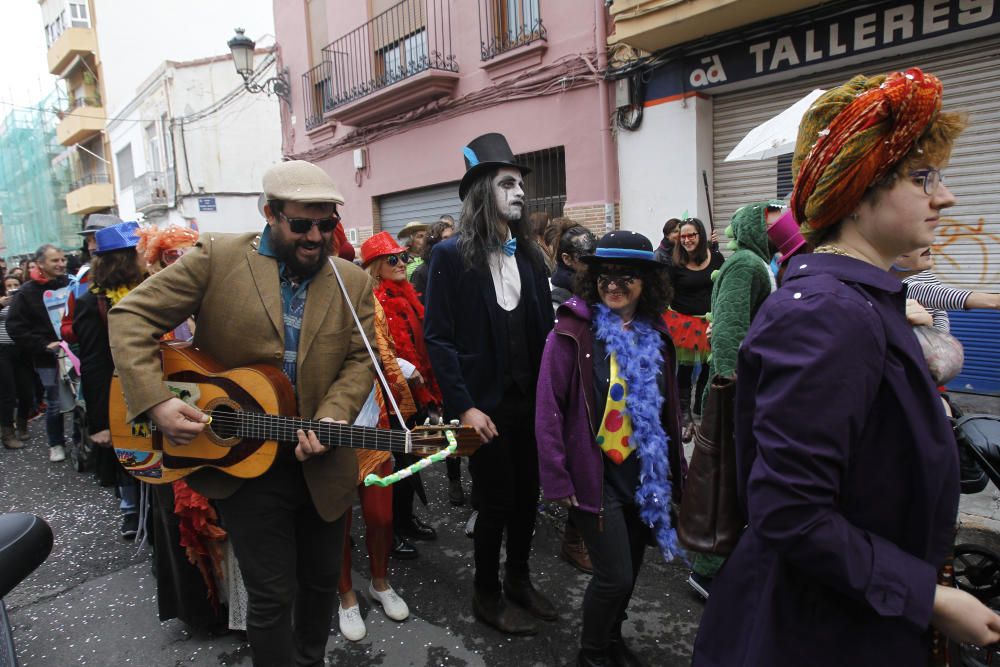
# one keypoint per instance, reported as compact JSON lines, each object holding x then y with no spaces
{"x":700,"y":75}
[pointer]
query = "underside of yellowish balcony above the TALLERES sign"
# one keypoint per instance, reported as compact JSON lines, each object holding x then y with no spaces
{"x":657,"y":24}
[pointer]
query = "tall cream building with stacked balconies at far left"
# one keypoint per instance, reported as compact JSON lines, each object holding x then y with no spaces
{"x":71,"y":35}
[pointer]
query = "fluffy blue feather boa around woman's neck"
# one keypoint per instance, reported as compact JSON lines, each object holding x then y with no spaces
{"x":639,"y":350}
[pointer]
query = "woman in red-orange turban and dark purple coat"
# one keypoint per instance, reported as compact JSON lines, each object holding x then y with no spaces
{"x":847,"y":465}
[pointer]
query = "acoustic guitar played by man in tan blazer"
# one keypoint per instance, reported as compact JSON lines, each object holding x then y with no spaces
{"x":250,"y":409}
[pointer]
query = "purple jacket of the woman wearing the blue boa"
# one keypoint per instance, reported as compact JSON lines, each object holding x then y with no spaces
{"x":566,"y":419}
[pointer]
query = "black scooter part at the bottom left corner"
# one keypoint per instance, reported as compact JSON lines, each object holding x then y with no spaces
{"x":25,"y":543}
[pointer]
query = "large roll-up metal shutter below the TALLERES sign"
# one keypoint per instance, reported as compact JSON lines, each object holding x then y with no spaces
{"x":968,"y":239}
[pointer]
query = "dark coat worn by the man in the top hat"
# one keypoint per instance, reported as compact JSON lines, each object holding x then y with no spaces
{"x":462,"y":326}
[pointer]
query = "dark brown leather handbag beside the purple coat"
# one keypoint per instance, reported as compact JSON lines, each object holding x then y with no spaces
{"x":711,"y":518}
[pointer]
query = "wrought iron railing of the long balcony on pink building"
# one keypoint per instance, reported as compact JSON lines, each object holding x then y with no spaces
{"x":408,"y":38}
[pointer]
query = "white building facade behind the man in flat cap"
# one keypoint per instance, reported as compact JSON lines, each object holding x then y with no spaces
{"x":192,"y":146}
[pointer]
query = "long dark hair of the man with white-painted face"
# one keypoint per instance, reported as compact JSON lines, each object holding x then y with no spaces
{"x":479,"y":228}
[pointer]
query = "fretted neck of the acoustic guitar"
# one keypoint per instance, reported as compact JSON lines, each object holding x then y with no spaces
{"x":260,"y":426}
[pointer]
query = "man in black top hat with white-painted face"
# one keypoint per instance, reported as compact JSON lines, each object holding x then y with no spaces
{"x":488,"y":311}
